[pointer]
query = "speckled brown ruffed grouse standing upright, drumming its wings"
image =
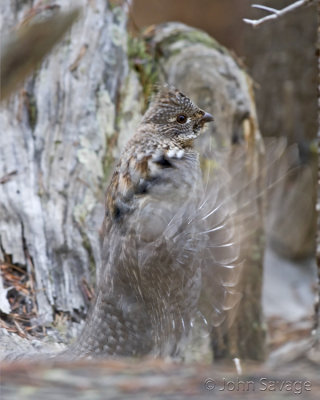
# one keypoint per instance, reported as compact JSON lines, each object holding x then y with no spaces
{"x":165,"y":242}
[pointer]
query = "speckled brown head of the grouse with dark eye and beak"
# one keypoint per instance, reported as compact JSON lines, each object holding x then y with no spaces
{"x":175,"y":115}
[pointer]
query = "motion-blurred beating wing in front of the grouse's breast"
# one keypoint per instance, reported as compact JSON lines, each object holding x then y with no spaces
{"x":240,"y":195}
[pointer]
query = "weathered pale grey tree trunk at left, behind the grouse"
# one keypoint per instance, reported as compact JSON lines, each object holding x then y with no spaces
{"x":54,"y":134}
